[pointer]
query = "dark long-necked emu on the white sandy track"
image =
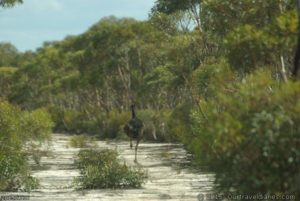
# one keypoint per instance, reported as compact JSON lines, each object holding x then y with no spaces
{"x":134,"y":130}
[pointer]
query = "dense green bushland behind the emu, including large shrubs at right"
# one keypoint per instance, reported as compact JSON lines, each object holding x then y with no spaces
{"x":214,"y":75}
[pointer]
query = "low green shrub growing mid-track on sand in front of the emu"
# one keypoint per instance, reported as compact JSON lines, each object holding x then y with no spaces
{"x":101,"y":169}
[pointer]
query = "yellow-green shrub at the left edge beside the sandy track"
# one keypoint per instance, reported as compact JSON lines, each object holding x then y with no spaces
{"x":20,"y":131}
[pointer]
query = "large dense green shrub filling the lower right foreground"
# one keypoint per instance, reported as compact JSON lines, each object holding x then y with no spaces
{"x":251,"y":136}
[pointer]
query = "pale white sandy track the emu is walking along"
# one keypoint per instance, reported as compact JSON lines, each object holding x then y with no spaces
{"x":168,"y":178}
